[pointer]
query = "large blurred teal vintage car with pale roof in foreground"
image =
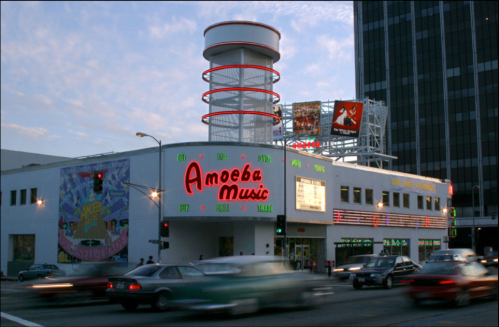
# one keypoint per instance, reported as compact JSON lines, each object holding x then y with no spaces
{"x":245,"y":284}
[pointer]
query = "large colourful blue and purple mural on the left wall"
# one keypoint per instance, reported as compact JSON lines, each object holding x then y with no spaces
{"x":94,"y":227}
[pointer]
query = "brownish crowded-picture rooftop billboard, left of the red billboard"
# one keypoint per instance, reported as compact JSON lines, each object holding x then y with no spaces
{"x":306,"y":118}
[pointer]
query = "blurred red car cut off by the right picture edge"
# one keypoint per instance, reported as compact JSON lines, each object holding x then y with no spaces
{"x":454,"y":281}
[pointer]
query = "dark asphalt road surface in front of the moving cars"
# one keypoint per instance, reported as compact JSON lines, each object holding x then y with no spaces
{"x":370,"y":306}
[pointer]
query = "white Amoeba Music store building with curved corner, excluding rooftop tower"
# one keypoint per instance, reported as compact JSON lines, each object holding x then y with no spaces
{"x":221,"y":199}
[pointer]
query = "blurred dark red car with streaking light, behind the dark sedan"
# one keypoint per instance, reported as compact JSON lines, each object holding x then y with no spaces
{"x":87,"y":281}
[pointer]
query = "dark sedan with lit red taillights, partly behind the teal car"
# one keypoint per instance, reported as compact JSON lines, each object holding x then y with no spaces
{"x":155,"y":284}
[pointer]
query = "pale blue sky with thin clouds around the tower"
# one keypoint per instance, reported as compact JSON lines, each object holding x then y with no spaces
{"x":81,"y":78}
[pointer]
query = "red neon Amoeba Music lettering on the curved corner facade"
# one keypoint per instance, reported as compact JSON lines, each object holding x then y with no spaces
{"x":230,"y":190}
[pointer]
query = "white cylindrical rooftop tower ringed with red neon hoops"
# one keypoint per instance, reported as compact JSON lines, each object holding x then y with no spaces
{"x":241,"y":79}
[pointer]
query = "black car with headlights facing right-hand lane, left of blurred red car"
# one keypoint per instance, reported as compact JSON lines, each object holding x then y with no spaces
{"x":384,"y":271}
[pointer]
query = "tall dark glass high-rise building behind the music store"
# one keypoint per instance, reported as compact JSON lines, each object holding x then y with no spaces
{"x":434,"y":63}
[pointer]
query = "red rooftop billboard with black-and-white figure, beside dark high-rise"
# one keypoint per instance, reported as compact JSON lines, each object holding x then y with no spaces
{"x":347,"y":117}
